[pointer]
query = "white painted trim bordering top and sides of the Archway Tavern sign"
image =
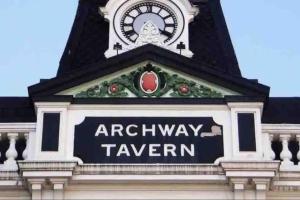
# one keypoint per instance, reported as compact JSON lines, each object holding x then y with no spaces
{"x":77,"y":113}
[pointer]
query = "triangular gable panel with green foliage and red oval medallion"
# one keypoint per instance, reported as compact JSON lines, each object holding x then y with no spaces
{"x":148,"y":80}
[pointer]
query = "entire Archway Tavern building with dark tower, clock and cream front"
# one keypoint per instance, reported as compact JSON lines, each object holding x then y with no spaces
{"x":149,"y":103}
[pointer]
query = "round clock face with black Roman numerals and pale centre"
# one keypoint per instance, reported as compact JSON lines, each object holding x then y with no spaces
{"x":160,"y":15}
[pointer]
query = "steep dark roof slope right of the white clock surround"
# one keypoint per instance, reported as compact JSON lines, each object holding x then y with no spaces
{"x":210,"y":40}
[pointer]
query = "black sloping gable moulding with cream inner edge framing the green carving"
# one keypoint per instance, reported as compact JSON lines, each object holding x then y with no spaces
{"x":173,"y":64}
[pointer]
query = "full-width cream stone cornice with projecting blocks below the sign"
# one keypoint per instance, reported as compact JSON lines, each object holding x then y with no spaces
{"x":263,"y":175}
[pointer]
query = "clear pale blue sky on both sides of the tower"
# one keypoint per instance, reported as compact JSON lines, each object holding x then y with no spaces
{"x":265,"y":34}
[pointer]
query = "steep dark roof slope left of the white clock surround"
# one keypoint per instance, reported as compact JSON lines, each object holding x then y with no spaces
{"x":88,"y":39}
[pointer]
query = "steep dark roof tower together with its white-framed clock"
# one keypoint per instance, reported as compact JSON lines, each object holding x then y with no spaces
{"x":194,"y":29}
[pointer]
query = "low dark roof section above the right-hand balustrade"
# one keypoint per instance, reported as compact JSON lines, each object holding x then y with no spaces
{"x":282,"y":110}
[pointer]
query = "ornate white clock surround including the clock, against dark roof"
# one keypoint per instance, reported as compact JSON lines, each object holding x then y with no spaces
{"x":138,"y":22}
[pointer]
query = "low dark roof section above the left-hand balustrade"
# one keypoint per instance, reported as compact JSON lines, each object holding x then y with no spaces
{"x":16,"y":109}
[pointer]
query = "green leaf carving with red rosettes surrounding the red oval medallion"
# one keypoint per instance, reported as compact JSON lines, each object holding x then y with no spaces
{"x":172,"y":84}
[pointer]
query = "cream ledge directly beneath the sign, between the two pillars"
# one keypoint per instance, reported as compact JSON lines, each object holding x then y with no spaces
{"x":150,"y":173}
